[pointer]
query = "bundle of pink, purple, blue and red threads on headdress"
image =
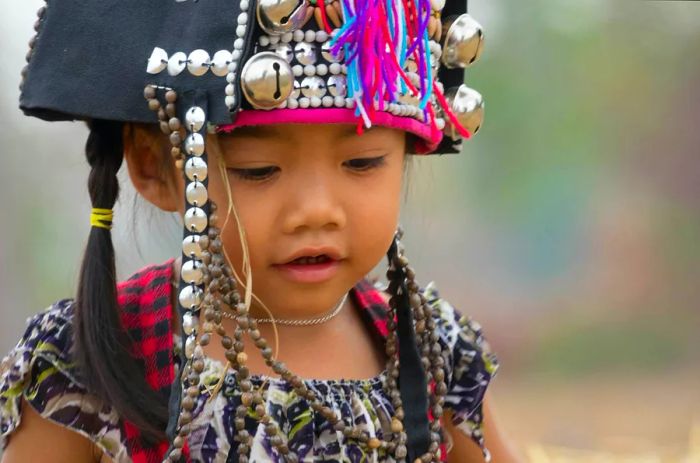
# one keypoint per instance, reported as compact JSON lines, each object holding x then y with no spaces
{"x":377,"y":38}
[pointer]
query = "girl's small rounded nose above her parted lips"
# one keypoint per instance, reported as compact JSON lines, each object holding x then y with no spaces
{"x":314,"y":203}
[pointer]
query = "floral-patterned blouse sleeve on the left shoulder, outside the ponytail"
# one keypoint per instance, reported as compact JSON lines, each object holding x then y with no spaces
{"x":40,"y":371}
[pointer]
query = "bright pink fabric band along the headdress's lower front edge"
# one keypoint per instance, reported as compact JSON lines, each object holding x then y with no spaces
{"x":430,"y":136}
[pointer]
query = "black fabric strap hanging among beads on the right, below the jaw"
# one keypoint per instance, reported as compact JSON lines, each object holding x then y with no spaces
{"x":412,"y":381}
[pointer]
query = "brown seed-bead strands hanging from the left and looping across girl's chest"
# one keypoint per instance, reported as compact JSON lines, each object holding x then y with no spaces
{"x":222,"y":289}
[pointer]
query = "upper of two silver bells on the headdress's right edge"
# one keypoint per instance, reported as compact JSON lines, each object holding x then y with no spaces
{"x":463,"y":40}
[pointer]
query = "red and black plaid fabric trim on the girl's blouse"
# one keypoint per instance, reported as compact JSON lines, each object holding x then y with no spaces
{"x":146,"y":315}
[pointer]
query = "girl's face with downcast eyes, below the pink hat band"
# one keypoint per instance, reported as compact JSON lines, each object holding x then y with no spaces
{"x":318,"y":204}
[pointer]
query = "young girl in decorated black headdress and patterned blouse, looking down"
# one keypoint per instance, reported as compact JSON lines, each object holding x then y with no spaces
{"x":262,"y":341}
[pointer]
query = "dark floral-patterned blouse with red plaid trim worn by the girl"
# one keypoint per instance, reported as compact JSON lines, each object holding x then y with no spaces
{"x":41,"y":369}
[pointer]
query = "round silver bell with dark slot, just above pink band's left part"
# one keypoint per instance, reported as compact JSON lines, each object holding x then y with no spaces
{"x":267,"y":80}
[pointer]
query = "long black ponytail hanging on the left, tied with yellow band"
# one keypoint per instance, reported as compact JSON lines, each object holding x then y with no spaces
{"x":102,"y":345}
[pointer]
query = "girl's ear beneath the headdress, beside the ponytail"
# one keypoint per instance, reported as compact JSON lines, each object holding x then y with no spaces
{"x":151,"y":168}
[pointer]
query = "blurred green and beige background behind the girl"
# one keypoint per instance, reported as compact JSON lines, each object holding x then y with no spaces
{"x":569,"y":227}
